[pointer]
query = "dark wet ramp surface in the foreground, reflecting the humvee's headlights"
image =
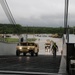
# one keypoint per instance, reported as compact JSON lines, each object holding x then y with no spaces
{"x":41,"y":63}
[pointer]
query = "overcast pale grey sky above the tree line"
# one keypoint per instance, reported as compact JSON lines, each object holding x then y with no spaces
{"x":48,"y":13}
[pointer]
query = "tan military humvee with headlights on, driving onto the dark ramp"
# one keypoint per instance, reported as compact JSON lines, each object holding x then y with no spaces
{"x":27,"y":47}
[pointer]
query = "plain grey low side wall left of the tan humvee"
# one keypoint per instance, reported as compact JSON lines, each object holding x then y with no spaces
{"x":7,"y":49}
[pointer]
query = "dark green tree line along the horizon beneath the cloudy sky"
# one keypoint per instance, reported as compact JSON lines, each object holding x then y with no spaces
{"x":19,"y":29}
